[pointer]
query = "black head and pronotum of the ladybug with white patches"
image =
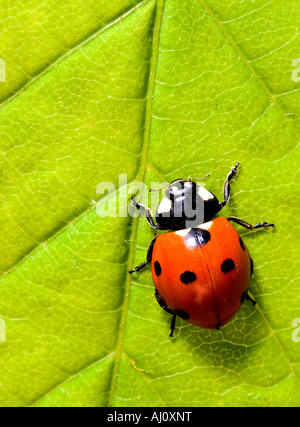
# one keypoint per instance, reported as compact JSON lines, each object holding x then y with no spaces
{"x":186,"y":205}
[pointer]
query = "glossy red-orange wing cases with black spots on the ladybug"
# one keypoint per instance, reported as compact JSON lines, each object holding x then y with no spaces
{"x":205,"y":283}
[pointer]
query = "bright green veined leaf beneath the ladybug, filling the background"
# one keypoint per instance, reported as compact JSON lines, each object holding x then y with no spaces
{"x":156,"y":90}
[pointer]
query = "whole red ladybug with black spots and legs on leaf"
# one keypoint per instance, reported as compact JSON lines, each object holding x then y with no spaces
{"x":201,"y":269}
